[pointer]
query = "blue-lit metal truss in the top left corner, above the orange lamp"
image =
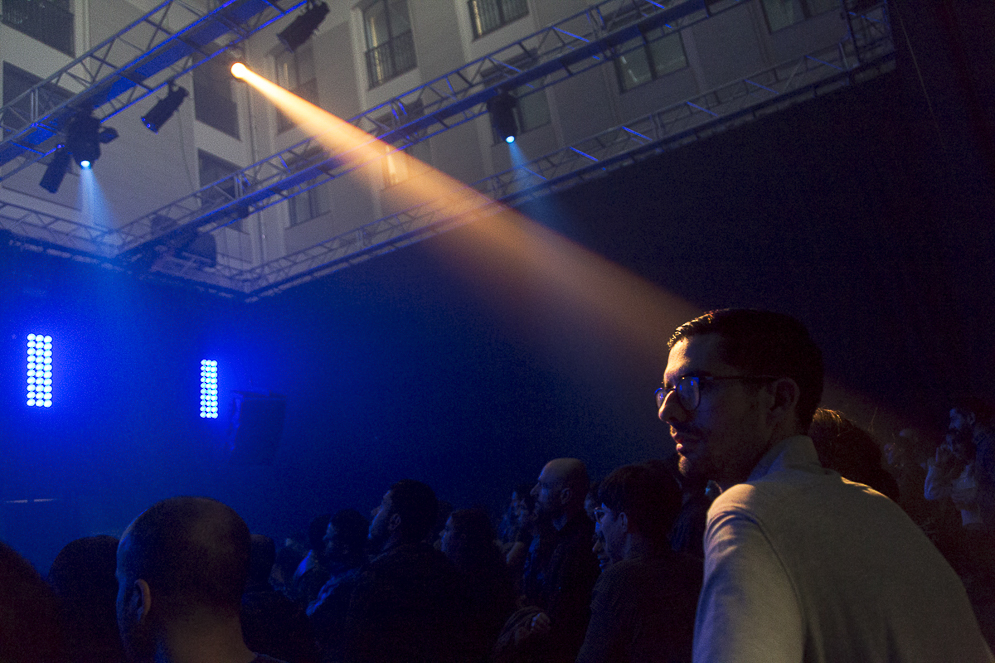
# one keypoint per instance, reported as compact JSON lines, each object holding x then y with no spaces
{"x":127,"y":67}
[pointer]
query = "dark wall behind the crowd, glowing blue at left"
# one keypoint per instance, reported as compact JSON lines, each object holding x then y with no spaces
{"x":414,"y":364}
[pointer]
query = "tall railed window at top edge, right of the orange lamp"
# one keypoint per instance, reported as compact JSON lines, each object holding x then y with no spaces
{"x":390,"y":48}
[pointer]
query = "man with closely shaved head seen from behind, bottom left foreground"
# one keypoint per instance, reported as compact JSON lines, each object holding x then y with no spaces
{"x":181,"y":569}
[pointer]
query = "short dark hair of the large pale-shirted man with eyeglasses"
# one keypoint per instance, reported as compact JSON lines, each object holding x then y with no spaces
{"x":765,"y":343}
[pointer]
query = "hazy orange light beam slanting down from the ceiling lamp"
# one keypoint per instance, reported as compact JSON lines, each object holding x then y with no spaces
{"x":519,"y":253}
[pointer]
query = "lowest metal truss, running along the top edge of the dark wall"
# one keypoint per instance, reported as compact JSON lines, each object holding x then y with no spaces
{"x":667,"y":129}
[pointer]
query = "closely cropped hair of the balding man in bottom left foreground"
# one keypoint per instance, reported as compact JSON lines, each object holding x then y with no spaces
{"x":192,"y":551}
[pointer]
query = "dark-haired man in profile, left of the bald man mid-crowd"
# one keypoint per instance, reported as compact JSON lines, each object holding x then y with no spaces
{"x":404,"y":608}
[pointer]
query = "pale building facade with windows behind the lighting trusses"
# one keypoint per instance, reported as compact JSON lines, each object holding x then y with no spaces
{"x":367,"y":54}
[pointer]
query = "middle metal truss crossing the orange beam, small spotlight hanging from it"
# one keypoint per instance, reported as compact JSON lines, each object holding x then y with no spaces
{"x":576,"y":44}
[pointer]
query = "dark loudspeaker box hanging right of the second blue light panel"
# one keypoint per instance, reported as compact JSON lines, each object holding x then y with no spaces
{"x":255,"y":427}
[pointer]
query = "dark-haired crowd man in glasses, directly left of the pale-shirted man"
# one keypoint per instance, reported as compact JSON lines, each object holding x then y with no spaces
{"x":643,"y":605}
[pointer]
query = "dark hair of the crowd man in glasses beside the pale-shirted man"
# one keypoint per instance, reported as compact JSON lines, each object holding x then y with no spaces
{"x":649,"y":496}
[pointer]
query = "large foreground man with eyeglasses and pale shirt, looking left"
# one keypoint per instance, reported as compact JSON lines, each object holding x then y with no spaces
{"x":800,"y":565}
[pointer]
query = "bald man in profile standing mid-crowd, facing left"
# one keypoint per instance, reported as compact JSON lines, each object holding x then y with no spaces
{"x":561,"y":569}
